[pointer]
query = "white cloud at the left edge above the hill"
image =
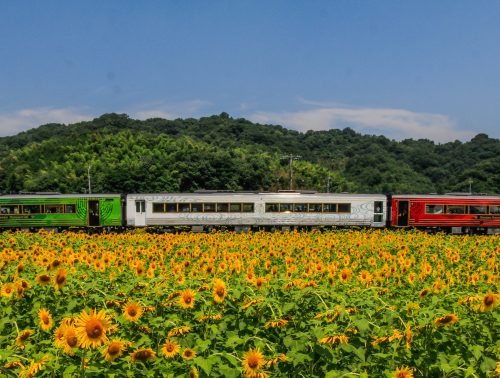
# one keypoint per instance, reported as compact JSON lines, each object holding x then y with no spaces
{"x":14,"y":122}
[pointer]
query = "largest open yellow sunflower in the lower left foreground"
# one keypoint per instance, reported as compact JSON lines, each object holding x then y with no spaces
{"x":91,"y":328}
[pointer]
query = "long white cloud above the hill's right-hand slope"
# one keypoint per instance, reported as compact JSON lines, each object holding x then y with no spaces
{"x":393,"y":123}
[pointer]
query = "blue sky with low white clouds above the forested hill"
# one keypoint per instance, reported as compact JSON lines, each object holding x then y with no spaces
{"x":403,"y":69}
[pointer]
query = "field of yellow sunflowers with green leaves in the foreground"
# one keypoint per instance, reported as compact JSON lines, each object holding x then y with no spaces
{"x":357,"y":303}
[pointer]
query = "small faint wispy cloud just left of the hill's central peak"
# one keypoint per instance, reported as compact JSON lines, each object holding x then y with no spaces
{"x":170,"y":110}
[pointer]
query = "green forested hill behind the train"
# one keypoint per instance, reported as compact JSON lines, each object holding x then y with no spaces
{"x":219,"y":152}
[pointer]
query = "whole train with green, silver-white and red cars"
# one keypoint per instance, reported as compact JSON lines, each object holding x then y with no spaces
{"x":245,"y":211}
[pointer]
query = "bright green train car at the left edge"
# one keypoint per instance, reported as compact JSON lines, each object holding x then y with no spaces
{"x":60,"y":210}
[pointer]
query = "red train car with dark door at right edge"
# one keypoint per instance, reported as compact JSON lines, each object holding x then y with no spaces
{"x":451,"y":213}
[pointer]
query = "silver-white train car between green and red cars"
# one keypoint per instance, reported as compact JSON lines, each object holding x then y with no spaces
{"x":242,"y":211}
